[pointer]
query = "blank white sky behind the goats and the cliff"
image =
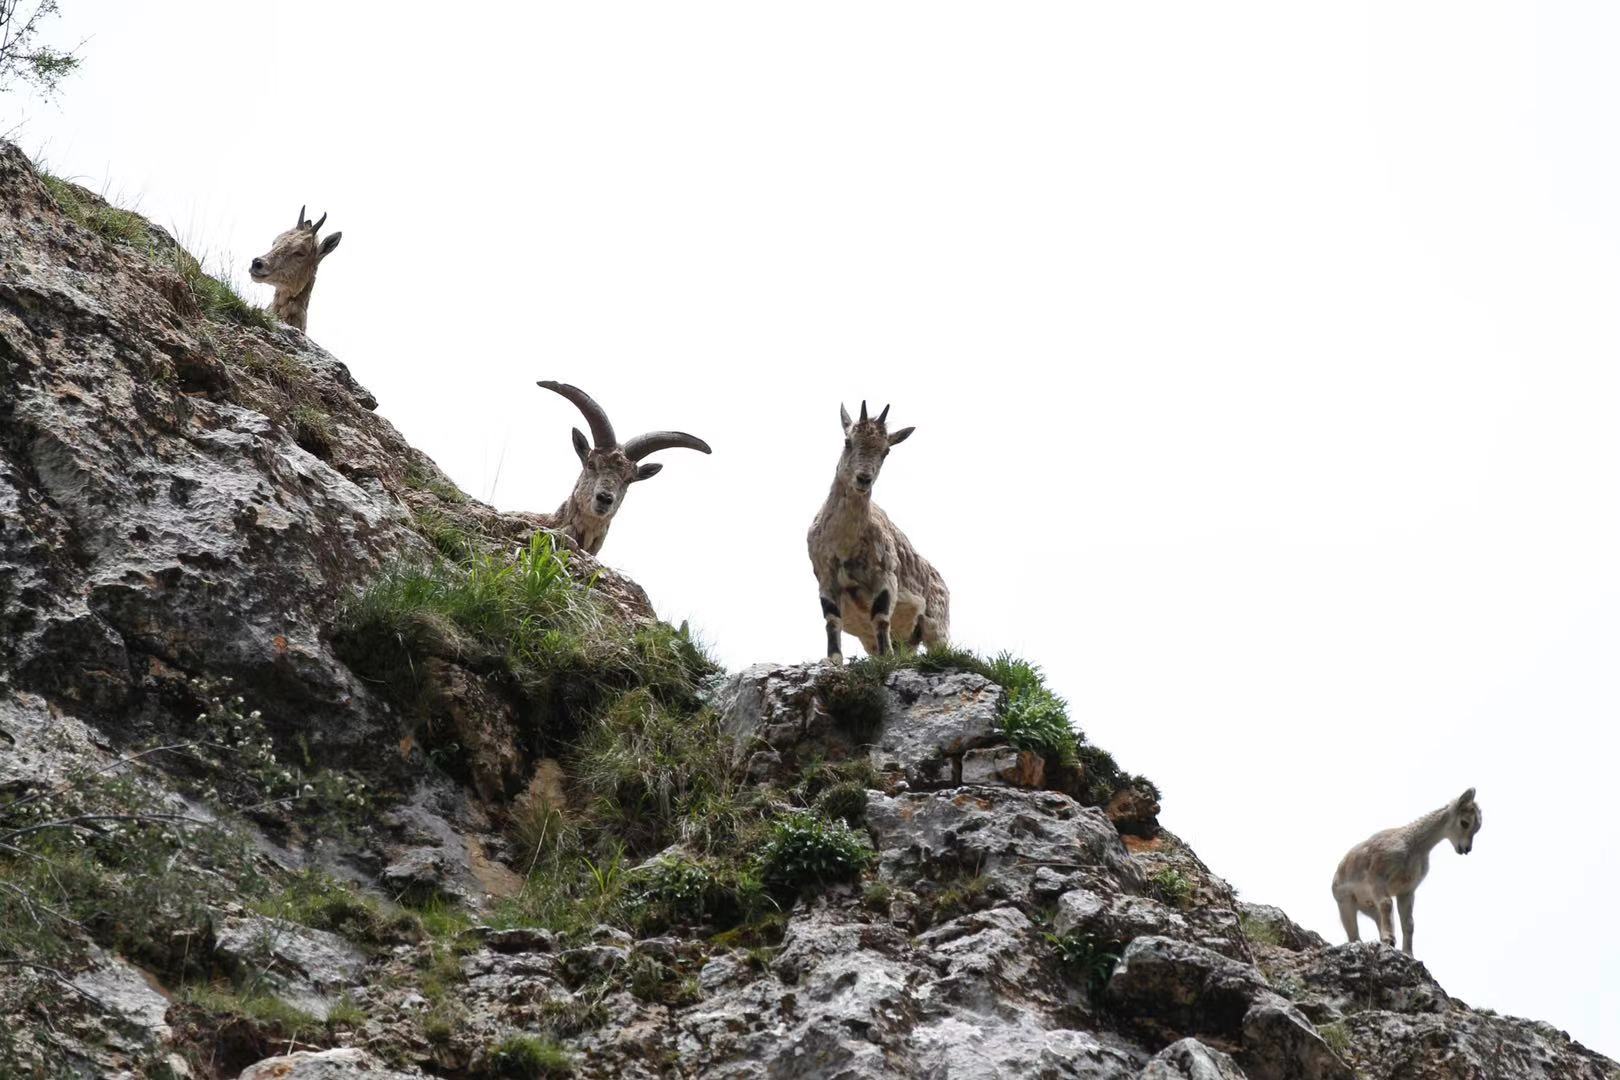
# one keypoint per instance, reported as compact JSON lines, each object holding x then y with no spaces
{"x":1263,"y":360}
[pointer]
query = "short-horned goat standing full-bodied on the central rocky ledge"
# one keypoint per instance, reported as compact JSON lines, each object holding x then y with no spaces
{"x":872,"y":580}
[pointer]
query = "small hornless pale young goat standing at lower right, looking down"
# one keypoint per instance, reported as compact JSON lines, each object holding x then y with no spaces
{"x":1386,"y":870}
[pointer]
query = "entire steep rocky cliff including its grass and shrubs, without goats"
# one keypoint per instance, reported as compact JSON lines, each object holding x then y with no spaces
{"x":313,"y":767}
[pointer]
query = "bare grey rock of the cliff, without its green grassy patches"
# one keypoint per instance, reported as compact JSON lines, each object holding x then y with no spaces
{"x":189,"y":498}
